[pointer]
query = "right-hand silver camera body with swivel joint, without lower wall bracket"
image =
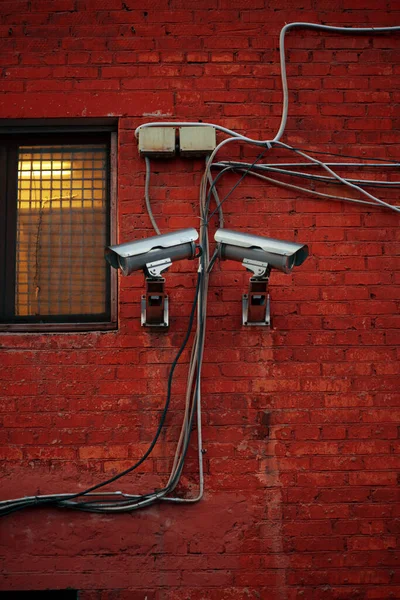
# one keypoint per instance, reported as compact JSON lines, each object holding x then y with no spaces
{"x":260,"y":253}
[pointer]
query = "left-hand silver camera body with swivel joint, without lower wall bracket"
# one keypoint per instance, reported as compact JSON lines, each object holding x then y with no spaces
{"x":153,"y":254}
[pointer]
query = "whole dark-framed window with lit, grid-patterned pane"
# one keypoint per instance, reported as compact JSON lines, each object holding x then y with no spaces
{"x":56,"y":217}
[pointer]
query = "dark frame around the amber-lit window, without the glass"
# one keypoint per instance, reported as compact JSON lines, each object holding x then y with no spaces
{"x":15,"y":135}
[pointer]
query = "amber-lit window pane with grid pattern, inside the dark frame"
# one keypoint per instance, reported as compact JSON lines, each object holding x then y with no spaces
{"x":61,"y":230}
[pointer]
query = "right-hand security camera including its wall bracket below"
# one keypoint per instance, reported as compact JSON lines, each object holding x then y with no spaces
{"x":259,"y":255}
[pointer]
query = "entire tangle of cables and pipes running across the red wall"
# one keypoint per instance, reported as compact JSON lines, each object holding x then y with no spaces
{"x":94,"y":498}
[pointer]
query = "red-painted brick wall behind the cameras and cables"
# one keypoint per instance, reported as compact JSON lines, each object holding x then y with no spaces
{"x":301,"y":422}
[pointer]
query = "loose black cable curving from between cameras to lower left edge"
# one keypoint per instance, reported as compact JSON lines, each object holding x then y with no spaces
{"x":60,"y":499}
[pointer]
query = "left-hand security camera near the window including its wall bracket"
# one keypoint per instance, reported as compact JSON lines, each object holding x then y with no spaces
{"x":153,"y":255}
